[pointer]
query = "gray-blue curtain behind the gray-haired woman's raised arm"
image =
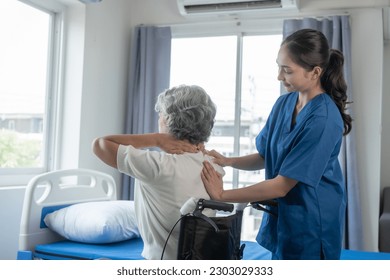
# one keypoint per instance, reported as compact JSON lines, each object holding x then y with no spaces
{"x":150,"y":62}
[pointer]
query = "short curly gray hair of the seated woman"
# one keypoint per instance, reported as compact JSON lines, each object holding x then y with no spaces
{"x":189,"y":112}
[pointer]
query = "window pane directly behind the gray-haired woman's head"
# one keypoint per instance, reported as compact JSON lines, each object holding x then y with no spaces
{"x":210,"y":62}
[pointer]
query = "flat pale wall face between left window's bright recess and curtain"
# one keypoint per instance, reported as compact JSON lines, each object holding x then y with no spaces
{"x":106,"y":60}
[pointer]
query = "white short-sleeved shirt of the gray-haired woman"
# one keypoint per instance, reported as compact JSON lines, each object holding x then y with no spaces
{"x":164,"y":183}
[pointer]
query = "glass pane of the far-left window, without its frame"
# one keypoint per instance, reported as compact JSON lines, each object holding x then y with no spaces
{"x":23,"y":69}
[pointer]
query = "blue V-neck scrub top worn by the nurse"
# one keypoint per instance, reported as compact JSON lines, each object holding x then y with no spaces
{"x":310,"y":217}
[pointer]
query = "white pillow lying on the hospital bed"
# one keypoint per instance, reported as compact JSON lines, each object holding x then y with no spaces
{"x":95,"y":222}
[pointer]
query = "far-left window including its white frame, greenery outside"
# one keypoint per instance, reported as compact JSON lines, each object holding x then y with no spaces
{"x":29,"y":61}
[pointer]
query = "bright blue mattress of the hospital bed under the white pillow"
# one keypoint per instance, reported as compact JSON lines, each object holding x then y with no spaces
{"x":132,"y":249}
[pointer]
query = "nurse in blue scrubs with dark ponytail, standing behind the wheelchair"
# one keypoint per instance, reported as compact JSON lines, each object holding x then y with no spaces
{"x":298,"y":148}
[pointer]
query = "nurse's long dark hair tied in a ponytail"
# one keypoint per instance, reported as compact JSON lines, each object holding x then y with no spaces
{"x":309,"y":48}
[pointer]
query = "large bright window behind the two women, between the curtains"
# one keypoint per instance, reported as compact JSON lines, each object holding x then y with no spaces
{"x":240,"y":74}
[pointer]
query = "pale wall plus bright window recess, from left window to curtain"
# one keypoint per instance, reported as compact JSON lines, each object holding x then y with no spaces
{"x":96,"y":84}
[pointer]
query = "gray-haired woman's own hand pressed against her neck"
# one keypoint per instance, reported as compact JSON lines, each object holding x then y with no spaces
{"x":171,"y":145}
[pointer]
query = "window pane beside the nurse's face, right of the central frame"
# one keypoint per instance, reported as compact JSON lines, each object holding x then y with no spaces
{"x":260,"y":89}
